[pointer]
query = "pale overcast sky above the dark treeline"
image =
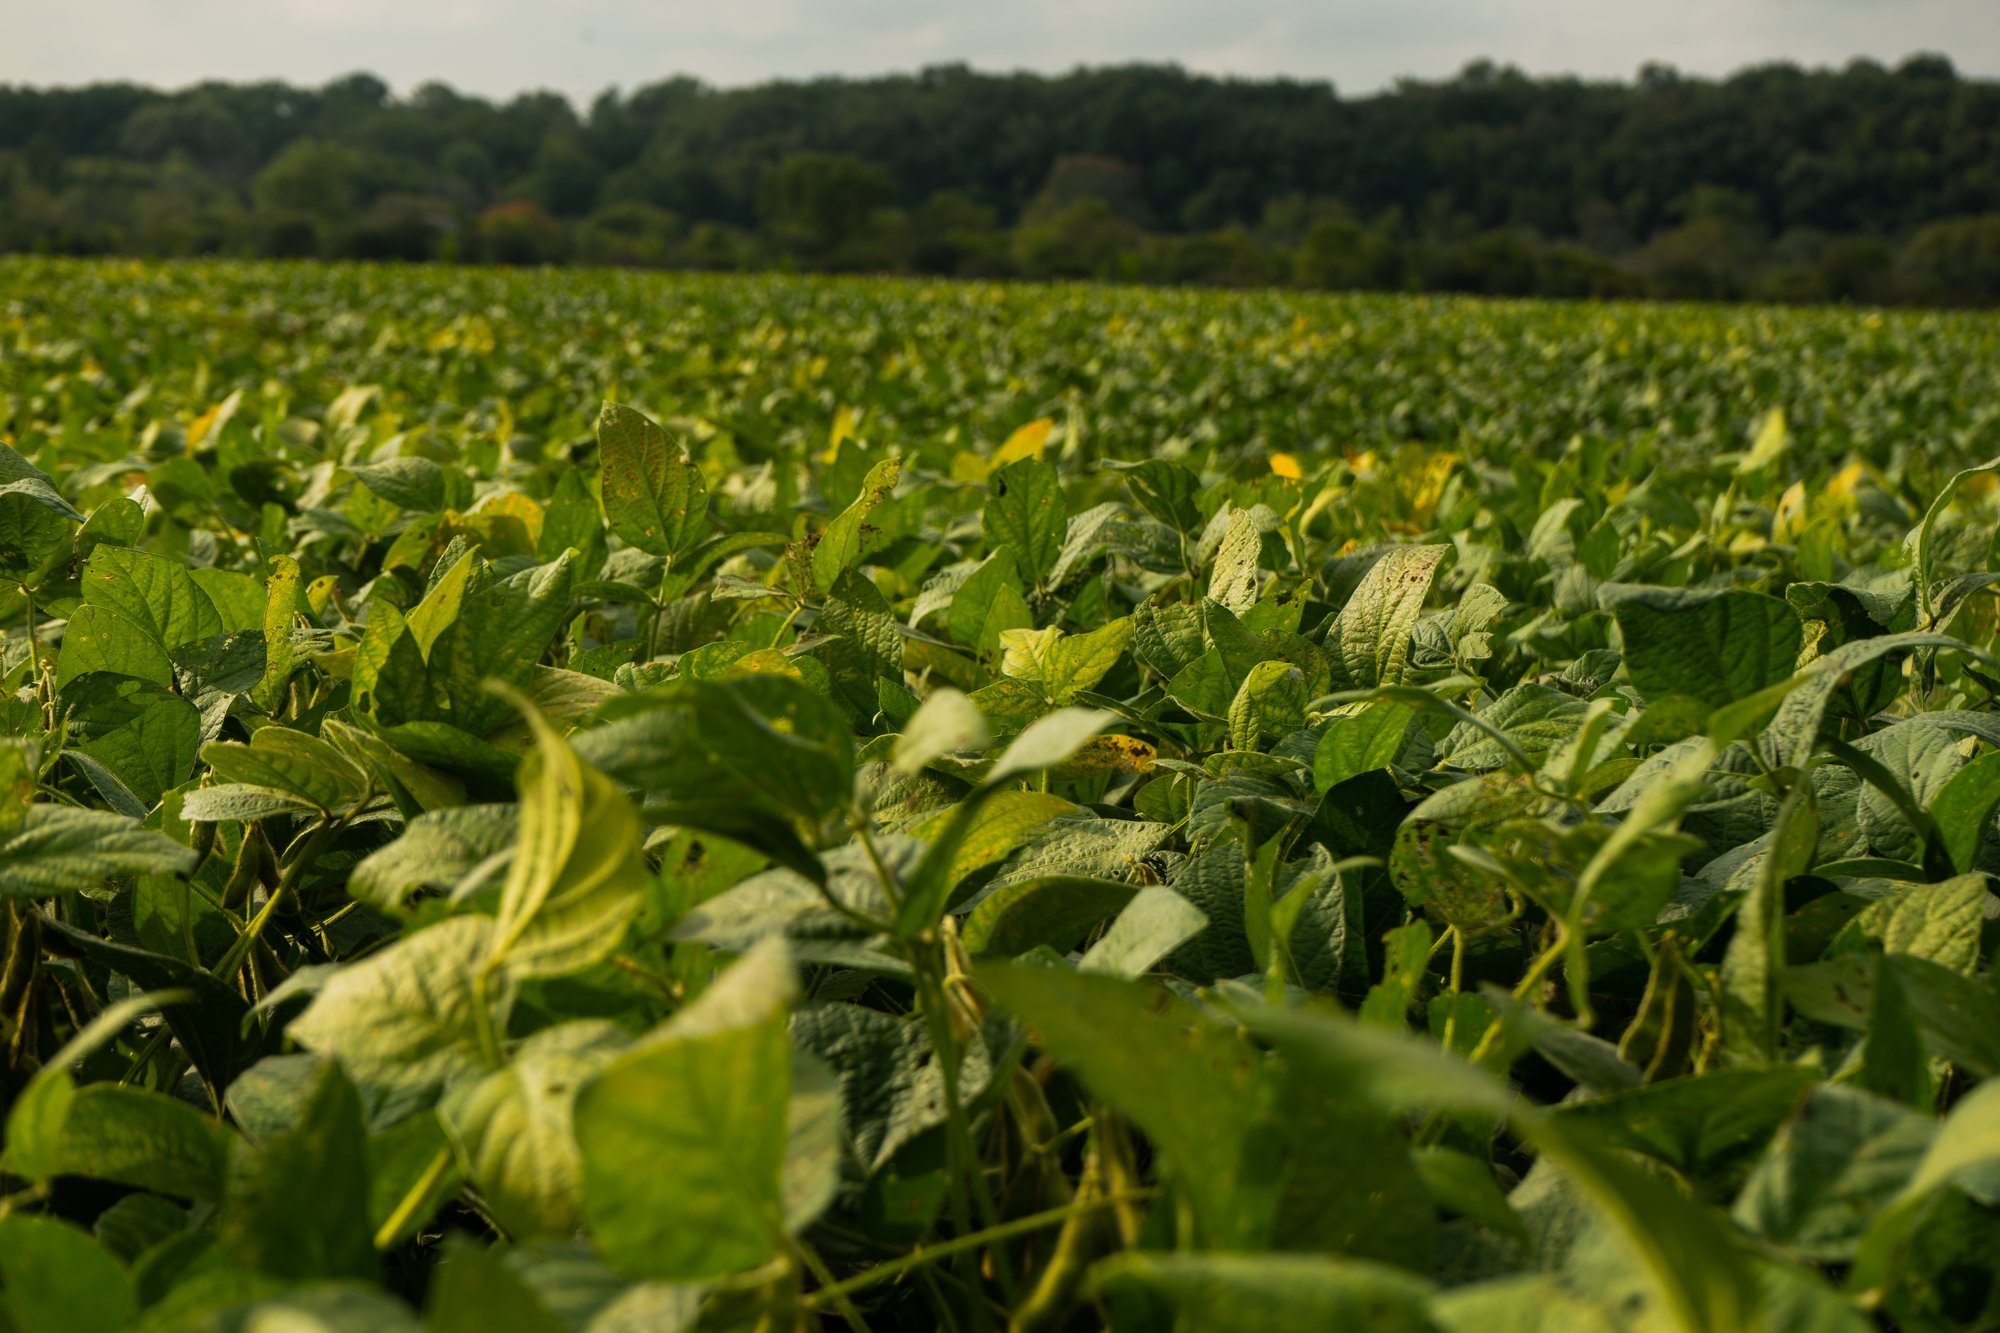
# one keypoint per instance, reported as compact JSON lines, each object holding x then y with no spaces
{"x":581,"y":47}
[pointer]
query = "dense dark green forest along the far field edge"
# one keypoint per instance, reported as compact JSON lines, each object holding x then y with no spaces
{"x":1869,"y":183}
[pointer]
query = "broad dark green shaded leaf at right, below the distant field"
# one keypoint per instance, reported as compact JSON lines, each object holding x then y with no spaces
{"x":1711,"y":645}
